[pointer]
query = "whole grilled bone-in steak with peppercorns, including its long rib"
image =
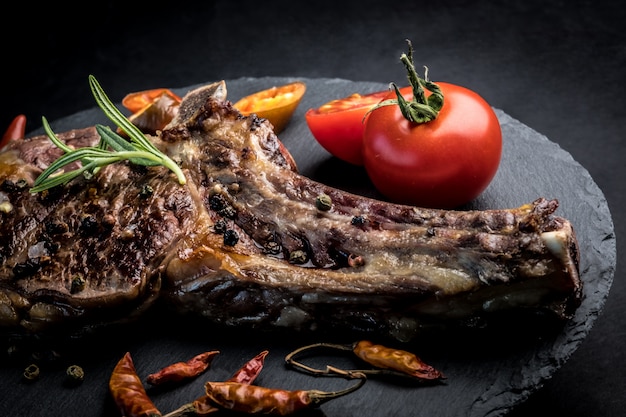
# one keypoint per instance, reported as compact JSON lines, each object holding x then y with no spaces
{"x":249,"y":241}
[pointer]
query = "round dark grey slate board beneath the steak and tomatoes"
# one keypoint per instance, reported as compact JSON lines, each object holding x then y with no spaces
{"x":484,"y":377}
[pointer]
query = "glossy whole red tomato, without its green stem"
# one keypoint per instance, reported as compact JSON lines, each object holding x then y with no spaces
{"x":443,"y":163}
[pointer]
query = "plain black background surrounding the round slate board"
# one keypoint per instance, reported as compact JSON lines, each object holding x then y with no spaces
{"x":557,"y":66}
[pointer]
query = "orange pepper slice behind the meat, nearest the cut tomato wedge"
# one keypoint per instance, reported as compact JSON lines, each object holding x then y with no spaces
{"x":276,"y":104}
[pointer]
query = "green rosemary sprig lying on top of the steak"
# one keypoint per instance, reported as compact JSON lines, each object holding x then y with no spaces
{"x":111,"y":148}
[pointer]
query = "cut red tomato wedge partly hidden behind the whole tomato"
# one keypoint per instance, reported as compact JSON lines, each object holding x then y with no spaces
{"x":338,"y":125}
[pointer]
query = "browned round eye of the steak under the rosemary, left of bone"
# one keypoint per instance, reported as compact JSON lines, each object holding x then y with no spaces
{"x":88,"y":252}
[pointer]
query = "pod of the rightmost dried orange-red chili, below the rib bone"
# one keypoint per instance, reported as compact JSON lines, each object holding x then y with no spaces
{"x":396,"y":359}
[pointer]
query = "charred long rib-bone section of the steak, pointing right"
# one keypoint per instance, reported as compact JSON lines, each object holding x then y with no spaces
{"x":383,"y":265}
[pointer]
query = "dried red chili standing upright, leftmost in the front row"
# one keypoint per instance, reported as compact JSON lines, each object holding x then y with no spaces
{"x":128,"y":392}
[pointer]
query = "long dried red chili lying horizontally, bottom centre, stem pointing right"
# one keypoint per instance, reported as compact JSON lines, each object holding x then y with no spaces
{"x":255,"y":399}
